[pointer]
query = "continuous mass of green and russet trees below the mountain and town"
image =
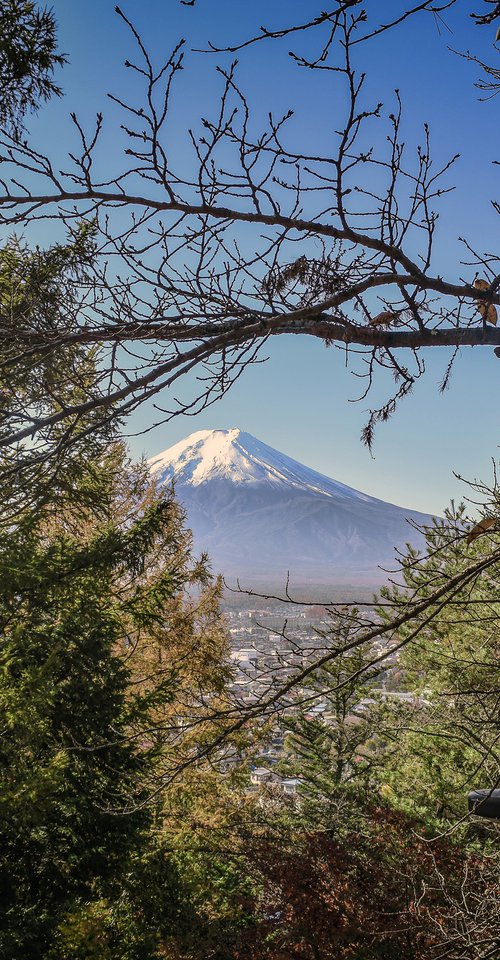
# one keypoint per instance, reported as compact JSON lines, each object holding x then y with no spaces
{"x":118,"y":842}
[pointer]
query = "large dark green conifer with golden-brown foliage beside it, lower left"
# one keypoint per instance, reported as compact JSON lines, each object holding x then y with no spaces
{"x":86,"y":593}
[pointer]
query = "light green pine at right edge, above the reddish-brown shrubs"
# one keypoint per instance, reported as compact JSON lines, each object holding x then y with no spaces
{"x":446,"y":742}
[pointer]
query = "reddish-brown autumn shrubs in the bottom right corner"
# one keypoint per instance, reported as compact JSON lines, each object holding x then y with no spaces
{"x":380,"y":890}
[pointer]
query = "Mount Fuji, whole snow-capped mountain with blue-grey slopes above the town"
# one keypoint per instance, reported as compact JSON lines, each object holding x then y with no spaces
{"x":259,"y":514}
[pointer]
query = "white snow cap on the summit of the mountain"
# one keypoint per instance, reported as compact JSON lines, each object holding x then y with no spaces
{"x":242,"y":459}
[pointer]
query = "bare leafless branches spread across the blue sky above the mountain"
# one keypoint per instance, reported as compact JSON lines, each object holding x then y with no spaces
{"x":255,"y":235}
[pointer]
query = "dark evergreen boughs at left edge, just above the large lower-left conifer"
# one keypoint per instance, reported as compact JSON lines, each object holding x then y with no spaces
{"x":38,"y":293}
